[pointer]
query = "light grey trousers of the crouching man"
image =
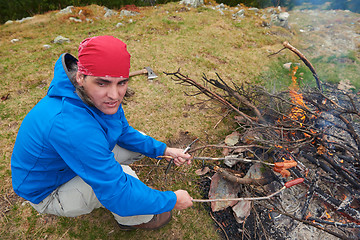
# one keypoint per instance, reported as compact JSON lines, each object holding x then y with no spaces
{"x":76,"y":197}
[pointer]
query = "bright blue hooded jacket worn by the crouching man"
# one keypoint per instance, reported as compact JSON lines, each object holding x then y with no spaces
{"x":62,"y":137}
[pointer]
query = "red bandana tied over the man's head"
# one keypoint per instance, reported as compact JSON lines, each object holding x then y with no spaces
{"x":104,"y":56}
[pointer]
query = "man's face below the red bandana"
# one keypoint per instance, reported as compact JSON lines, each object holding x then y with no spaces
{"x":106,"y":93}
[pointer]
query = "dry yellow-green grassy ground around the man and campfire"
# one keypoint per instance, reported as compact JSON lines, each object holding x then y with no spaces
{"x":165,"y":37}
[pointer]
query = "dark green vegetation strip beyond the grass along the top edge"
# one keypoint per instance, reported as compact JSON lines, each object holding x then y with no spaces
{"x":17,"y":9}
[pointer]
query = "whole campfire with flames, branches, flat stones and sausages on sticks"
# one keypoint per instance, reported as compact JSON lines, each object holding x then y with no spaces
{"x":292,"y":167}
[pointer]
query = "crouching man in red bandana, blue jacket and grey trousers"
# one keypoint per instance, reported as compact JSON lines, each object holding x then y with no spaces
{"x":73,"y":148}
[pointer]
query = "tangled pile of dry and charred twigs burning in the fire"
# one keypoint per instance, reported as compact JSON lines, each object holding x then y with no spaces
{"x":317,"y":128}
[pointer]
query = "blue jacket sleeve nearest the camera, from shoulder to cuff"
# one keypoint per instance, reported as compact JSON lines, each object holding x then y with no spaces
{"x":82,"y":144}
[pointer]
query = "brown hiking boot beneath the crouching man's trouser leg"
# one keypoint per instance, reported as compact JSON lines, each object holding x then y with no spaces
{"x":158,"y":221}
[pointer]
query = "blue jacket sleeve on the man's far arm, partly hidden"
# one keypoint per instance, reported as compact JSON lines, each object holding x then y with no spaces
{"x":136,"y":141}
